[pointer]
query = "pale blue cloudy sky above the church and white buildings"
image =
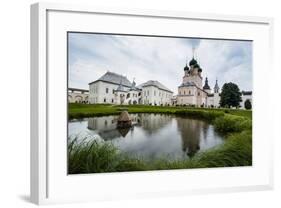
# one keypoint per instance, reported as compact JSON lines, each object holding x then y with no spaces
{"x":157,"y":58}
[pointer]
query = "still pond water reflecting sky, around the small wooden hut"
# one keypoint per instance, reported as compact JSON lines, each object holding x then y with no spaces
{"x":151,"y":136}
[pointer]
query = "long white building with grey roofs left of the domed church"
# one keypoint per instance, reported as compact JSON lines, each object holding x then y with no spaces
{"x":117,"y":89}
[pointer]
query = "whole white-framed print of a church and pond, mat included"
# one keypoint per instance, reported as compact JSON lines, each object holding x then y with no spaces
{"x":133,"y":103}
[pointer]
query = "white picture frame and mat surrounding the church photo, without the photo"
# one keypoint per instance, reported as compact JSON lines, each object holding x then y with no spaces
{"x":49,"y":180}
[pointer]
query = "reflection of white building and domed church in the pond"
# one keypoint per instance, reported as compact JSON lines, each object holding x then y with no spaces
{"x":191,"y":132}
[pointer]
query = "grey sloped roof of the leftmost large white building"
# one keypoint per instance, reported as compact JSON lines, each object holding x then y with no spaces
{"x":114,"y":79}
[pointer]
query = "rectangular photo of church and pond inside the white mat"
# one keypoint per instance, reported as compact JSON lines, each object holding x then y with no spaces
{"x":145,"y":102}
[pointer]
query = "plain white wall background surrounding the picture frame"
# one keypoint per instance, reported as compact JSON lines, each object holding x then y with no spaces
{"x":14,"y":41}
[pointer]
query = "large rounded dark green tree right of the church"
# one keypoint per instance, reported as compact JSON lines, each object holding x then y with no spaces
{"x":230,"y":95}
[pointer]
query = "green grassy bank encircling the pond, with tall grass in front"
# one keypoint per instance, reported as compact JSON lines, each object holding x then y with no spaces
{"x":97,"y":157}
